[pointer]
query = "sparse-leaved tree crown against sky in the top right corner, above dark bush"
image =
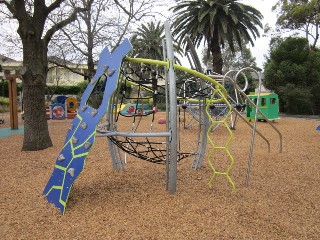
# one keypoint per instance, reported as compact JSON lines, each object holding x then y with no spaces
{"x":299,"y":15}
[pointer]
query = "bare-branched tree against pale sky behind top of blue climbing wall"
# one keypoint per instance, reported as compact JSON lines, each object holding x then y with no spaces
{"x":104,"y":24}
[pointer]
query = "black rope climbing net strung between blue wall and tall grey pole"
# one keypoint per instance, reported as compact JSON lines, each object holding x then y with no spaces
{"x":141,"y":84}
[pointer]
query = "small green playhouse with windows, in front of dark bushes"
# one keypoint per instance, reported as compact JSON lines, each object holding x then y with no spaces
{"x":268,"y":105}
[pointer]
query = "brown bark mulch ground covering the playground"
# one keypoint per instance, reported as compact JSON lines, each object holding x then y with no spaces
{"x":282,"y":200}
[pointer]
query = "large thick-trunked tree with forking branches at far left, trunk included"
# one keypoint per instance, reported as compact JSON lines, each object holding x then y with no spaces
{"x":35,"y":30}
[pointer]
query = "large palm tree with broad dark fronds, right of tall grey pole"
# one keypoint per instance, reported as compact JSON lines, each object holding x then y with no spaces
{"x":217,"y":22}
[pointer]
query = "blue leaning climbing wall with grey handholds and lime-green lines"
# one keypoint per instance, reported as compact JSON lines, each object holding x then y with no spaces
{"x":81,"y":134}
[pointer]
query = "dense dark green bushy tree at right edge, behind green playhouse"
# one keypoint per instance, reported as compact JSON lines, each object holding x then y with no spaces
{"x":293,"y":71}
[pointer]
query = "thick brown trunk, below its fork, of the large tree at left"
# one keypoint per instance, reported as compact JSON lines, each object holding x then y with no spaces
{"x":35,"y":63}
